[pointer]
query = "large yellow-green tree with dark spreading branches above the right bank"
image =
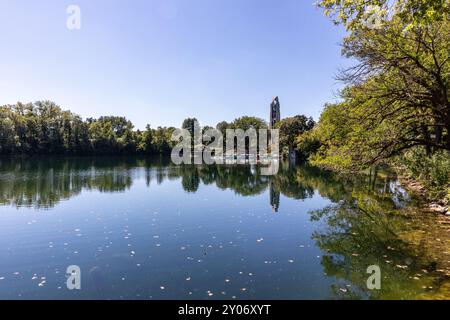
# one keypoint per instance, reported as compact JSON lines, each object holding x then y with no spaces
{"x":397,"y":96}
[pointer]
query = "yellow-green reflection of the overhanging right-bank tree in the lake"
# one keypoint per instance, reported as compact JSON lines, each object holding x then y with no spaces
{"x":372,"y":224}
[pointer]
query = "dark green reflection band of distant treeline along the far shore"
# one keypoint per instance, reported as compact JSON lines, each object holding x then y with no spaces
{"x":44,"y":182}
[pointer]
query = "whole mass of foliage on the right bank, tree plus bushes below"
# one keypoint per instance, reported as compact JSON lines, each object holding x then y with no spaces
{"x":395,"y":108}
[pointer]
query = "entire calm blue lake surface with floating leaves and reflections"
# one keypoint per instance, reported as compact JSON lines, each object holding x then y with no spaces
{"x":146,"y":229}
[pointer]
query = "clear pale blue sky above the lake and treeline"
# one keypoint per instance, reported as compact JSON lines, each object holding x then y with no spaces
{"x":160,"y":61}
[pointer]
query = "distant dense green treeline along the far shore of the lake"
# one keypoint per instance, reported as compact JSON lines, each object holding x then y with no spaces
{"x":43,"y":128}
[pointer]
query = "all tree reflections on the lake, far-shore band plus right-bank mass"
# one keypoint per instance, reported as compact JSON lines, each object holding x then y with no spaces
{"x":371,"y":219}
